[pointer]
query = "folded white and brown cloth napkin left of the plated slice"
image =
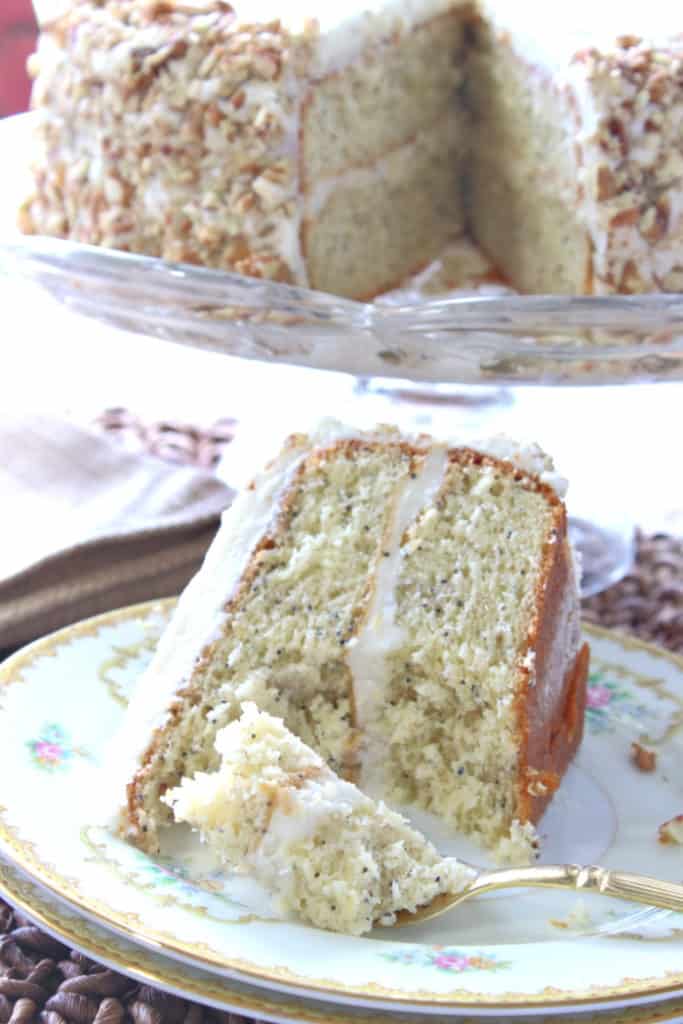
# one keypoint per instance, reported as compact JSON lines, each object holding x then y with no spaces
{"x":88,"y":526}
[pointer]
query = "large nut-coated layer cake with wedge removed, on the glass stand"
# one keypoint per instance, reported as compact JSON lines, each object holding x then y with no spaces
{"x":343,"y":148}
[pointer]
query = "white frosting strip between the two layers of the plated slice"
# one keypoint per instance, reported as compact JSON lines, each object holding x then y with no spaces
{"x":379,"y":635}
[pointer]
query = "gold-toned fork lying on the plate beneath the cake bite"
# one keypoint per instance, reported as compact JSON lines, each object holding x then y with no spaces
{"x":622,"y":885}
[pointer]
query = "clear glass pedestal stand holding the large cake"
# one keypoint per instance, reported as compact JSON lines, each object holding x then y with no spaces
{"x":468,"y":363}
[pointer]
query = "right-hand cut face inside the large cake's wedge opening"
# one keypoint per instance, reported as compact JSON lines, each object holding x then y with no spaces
{"x":522,"y":184}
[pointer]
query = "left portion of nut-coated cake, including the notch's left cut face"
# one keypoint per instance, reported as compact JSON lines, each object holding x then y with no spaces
{"x":321,"y":151}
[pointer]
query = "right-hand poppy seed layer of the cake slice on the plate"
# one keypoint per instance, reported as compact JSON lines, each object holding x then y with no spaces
{"x":467,"y":595}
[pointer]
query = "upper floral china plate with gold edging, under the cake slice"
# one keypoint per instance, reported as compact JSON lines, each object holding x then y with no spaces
{"x":519,"y":953}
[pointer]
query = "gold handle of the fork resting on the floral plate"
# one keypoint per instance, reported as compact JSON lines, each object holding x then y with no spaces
{"x":624,"y":885}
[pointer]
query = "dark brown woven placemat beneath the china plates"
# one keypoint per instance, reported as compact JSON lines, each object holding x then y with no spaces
{"x":40,"y":980}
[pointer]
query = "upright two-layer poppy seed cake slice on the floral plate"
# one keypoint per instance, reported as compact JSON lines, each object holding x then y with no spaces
{"x":409,"y":609}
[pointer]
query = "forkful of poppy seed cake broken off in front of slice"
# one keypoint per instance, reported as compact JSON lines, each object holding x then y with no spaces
{"x":330,"y":855}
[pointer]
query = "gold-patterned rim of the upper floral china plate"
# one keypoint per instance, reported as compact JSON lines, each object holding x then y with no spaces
{"x":21,"y":855}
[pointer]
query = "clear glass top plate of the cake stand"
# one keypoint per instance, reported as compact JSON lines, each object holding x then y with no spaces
{"x":462,"y":337}
